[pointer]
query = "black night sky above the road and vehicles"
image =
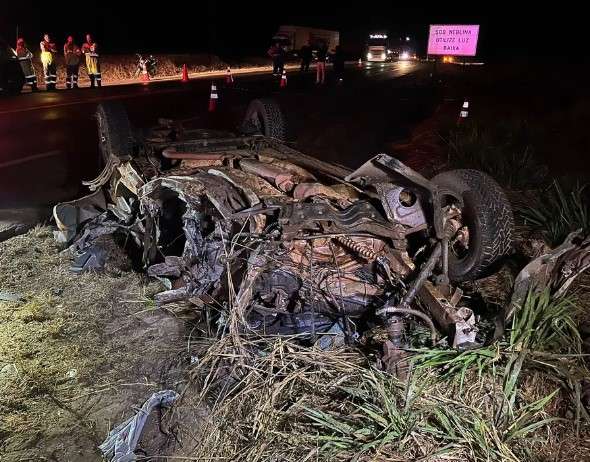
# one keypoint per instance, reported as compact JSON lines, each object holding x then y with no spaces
{"x":244,"y":28}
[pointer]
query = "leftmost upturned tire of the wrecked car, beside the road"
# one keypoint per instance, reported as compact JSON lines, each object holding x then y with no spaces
{"x":114,"y":131}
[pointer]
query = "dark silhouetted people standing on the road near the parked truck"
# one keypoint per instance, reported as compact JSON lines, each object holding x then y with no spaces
{"x":278,"y":54}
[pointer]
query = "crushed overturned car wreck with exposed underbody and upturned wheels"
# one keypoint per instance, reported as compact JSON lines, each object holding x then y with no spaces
{"x":300,"y":246}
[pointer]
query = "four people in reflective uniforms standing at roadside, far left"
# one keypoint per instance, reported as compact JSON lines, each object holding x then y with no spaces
{"x":72,"y":57}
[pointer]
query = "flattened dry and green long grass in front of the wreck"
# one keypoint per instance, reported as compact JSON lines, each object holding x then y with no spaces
{"x":503,"y":402}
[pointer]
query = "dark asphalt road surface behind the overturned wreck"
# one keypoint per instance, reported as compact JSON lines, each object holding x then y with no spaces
{"x":48,"y":141}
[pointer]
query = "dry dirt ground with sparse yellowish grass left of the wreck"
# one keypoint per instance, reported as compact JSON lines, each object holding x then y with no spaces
{"x":78,"y":353}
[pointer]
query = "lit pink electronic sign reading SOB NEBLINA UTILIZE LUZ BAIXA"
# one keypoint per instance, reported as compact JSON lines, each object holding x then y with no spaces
{"x":453,"y":40}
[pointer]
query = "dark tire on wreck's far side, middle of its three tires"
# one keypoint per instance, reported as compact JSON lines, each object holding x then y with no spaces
{"x":265,"y":117}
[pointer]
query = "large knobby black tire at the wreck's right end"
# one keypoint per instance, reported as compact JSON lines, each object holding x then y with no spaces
{"x":488,"y":216}
